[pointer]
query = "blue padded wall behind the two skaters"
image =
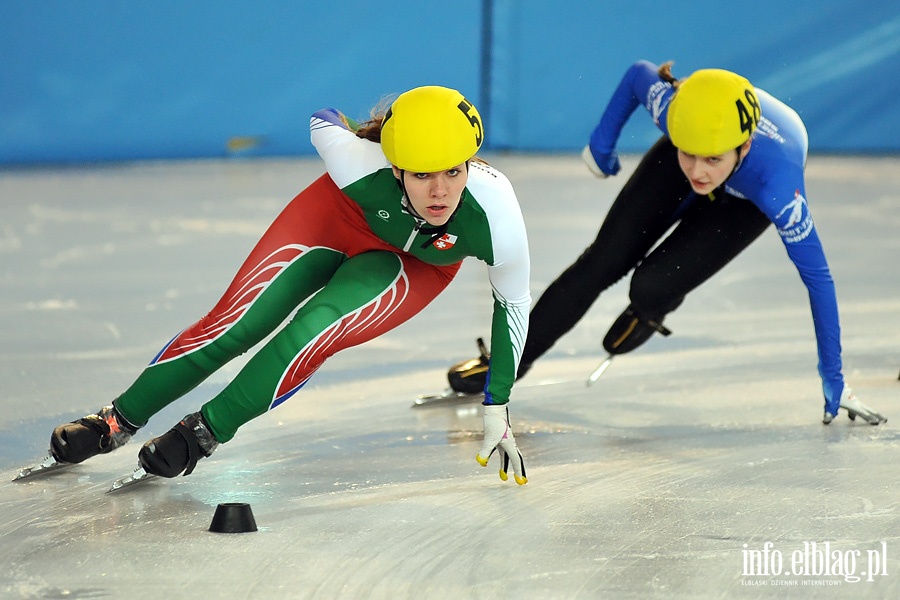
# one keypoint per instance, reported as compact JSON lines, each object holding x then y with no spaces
{"x":85,"y":80}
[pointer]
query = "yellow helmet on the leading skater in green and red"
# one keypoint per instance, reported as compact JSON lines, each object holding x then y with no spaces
{"x":429,"y":129}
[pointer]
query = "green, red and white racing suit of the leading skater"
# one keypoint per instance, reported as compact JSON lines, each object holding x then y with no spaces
{"x":357,"y":263}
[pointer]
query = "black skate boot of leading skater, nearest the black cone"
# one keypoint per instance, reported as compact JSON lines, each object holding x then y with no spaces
{"x":178,"y":449}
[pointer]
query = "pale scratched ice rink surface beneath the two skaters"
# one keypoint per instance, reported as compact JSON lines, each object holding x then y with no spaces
{"x":697,"y":467}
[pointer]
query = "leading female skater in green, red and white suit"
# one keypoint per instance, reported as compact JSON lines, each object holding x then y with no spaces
{"x":361,"y":250}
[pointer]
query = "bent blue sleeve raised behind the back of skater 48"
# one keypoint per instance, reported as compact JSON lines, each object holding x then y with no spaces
{"x":640,"y":85}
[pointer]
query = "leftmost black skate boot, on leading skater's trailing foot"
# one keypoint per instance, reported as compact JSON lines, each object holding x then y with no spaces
{"x":99,"y":433}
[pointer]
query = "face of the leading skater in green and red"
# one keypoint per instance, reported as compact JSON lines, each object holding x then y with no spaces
{"x":435,"y":196}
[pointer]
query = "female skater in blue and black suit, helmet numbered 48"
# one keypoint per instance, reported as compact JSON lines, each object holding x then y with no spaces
{"x":729,"y":163}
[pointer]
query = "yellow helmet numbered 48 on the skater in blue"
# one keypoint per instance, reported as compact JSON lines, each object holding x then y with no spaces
{"x":713,"y":111}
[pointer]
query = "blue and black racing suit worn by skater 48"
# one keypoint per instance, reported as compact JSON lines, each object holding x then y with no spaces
{"x":767,"y":187}
